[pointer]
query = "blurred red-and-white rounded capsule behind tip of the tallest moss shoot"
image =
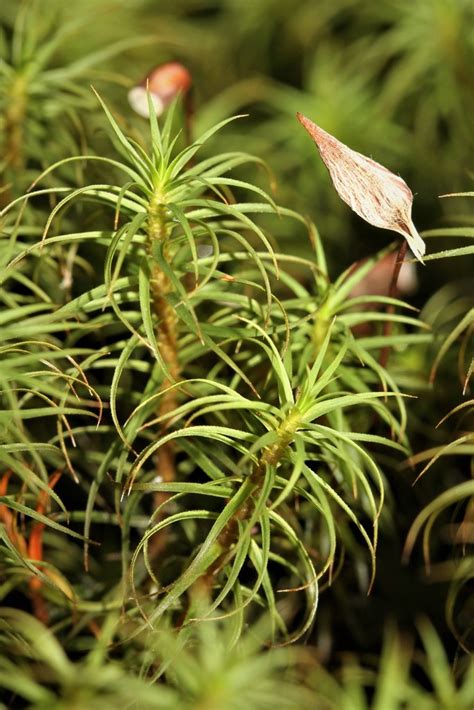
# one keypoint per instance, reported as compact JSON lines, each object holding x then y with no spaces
{"x":164,"y":83}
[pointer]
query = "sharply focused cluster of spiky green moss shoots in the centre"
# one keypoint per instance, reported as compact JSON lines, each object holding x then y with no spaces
{"x":266,"y":429}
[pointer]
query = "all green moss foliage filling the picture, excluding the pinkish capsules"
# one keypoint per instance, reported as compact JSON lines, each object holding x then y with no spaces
{"x":202,"y":431}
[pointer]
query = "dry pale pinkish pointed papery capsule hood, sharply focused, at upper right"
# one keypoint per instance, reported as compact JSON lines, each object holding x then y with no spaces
{"x":373,"y":192}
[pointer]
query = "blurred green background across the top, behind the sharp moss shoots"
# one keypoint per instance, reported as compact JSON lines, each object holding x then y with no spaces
{"x":393,"y":80}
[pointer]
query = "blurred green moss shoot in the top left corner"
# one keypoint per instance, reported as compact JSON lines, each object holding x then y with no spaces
{"x":38,"y":93}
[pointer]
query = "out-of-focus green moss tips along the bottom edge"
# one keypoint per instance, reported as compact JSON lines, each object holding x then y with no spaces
{"x":207,"y":666}
